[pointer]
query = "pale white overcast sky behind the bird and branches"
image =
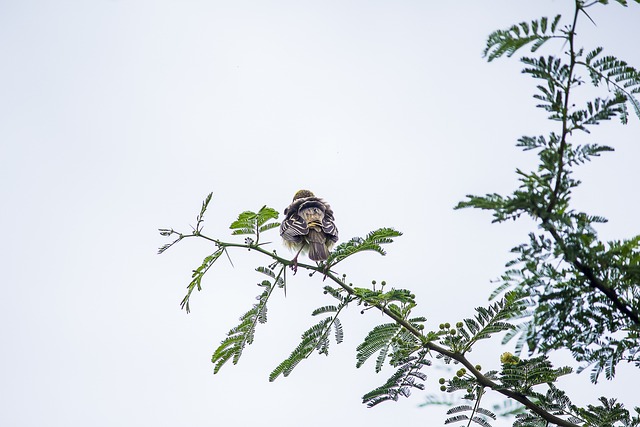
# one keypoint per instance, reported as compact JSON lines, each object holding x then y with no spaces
{"x":118,"y":117}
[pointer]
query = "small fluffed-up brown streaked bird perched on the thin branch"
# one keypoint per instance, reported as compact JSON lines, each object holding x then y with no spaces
{"x":308,"y":226}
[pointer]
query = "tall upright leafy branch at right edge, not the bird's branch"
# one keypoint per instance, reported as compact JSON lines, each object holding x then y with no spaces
{"x":584,"y":292}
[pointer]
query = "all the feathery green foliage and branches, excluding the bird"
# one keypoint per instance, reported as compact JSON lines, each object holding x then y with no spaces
{"x":563,"y":289}
